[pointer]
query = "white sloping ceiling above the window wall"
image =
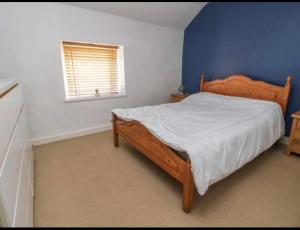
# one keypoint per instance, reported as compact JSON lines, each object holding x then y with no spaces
{"x":176,"y":15}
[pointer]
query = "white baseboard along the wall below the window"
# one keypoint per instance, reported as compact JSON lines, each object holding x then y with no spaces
{"x":69,"y":135}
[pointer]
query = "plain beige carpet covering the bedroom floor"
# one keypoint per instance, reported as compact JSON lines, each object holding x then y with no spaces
{"x":87,"y":182}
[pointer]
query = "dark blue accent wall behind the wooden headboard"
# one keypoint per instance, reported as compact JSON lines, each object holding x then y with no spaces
{"x":261,"y":40}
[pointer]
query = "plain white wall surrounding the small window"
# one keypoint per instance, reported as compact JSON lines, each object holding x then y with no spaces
{"x":29,"y":50}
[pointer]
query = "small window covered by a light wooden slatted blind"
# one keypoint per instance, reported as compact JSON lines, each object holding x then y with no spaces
{"x":92,"y":70}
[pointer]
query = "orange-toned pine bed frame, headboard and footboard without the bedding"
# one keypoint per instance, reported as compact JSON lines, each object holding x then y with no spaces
{"x":165,"y":157}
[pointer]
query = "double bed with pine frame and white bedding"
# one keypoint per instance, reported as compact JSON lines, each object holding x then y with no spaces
{"x":208,"y":135}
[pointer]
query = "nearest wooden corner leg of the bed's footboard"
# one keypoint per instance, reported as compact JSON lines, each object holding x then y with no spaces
{"x":188,"y":189}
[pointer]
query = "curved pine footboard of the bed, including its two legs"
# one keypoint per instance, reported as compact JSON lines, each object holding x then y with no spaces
{"x":162,"y":155}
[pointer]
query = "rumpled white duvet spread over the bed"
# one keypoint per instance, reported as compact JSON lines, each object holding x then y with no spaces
{"x":219,"y":133}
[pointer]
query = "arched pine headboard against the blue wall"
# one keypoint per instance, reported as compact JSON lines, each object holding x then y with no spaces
{"x":243,"y":86}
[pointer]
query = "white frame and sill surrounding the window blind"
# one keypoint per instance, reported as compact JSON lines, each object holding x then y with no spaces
{"x":121,"y":71}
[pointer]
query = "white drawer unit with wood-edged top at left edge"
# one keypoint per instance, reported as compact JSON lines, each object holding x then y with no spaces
{"x":16,"y":159}
